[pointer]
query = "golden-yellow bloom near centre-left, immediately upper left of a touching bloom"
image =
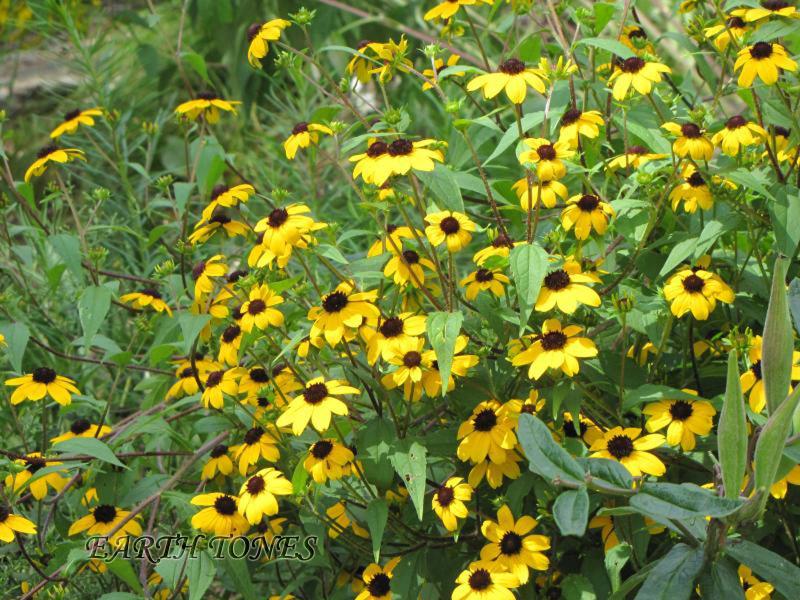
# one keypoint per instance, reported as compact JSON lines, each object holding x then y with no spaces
{"x":342,"y":309}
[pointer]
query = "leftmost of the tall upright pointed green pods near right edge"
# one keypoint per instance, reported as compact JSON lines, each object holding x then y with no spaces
{"x":732,"y":432}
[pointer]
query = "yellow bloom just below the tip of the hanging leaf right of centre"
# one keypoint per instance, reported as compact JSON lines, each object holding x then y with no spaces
{"x":556,"y":348}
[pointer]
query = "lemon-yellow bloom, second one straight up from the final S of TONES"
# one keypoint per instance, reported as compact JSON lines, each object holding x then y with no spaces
{"x":316,"y":405}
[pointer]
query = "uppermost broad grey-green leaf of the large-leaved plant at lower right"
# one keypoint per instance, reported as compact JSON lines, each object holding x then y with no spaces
{"x":545,"y":456}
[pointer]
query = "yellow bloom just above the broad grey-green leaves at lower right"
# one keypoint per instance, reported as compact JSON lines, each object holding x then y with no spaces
{"x":626,"y":447}
